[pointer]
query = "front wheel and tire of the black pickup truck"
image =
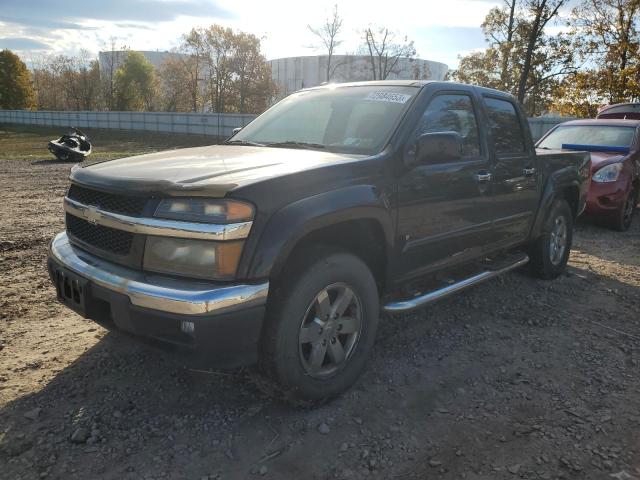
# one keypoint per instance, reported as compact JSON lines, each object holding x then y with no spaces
{"x":295,"y":335}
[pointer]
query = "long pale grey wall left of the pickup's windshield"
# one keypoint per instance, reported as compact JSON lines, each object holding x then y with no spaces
{"x":219,"y":125}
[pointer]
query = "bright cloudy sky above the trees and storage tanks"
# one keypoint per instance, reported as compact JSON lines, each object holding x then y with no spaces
{"x":441,"y":29}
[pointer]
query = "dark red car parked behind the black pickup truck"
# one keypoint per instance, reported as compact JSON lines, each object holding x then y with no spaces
{"x":615,"y":164}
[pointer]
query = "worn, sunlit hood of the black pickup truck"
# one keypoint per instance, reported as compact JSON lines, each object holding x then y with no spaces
{"x":212,"y":171}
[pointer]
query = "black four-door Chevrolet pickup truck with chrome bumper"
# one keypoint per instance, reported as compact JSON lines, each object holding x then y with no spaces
{"x":282,"y":246}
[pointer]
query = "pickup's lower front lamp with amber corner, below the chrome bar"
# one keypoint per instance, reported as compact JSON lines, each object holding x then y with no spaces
{"x":192,"y":258}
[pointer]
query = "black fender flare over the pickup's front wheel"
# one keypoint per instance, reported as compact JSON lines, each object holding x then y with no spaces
{"x":292,"y":223}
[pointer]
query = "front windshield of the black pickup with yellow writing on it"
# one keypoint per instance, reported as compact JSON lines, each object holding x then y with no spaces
{"x":347,"y":119}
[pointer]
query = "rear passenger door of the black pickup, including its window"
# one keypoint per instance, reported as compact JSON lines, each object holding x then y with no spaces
{"x":513,"y":172}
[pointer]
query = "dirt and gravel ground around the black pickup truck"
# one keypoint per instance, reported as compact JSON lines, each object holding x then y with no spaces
{"x":516,"y":378}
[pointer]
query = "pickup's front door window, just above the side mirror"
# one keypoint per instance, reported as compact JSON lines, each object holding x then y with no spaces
{"x":453,"y":113}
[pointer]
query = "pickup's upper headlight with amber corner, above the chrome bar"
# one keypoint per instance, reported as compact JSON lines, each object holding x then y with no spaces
{"x":204,"y":210}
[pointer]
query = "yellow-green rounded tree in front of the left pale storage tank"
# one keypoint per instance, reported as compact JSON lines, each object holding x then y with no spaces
{"x":135,"y":84}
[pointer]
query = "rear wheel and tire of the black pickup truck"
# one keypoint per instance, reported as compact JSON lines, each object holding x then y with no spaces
{"x":550,"y":253}
